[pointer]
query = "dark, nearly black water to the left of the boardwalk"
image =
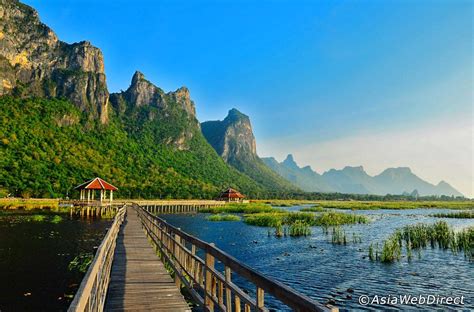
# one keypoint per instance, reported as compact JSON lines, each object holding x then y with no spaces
{"x":34,"y":259}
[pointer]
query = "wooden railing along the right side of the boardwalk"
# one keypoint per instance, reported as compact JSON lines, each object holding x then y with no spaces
{"x":212,"y":289}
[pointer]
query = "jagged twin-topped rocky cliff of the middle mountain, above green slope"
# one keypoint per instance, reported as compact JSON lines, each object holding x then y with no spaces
{"x":172,"y":115}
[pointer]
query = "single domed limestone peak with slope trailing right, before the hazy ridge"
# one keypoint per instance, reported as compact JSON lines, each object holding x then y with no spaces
{"x":233,"y":140}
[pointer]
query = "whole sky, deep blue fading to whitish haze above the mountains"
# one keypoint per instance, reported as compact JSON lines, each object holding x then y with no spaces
{"x":308,"y":73}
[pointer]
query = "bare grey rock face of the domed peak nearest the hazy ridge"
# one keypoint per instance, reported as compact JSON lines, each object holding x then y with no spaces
{"x":233,"y":137}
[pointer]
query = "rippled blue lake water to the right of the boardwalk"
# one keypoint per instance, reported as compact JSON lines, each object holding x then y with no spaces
{"x":314,"y":266}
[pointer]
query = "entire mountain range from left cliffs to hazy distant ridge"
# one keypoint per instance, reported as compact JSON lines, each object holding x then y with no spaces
{"x":61,"y":126}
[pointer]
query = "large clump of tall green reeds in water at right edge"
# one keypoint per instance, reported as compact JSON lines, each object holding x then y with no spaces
{"x":420,"y":236}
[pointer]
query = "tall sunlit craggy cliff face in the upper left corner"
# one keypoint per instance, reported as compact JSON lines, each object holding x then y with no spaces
{"x":33,"y":61}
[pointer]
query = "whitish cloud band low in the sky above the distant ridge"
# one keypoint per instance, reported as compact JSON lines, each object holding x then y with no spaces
{"x":435,"y":152}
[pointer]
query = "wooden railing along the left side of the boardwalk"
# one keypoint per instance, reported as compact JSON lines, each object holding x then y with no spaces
{"x":93,"y":289}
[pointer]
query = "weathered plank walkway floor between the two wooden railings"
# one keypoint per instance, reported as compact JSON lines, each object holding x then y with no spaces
{"x":139,"y":280}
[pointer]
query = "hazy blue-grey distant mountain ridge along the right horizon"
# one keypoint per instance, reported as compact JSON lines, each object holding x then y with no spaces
{"x":356,"y":181}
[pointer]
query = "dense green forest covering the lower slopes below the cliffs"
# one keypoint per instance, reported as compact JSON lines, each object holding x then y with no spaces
{"x":48,"y":146}
